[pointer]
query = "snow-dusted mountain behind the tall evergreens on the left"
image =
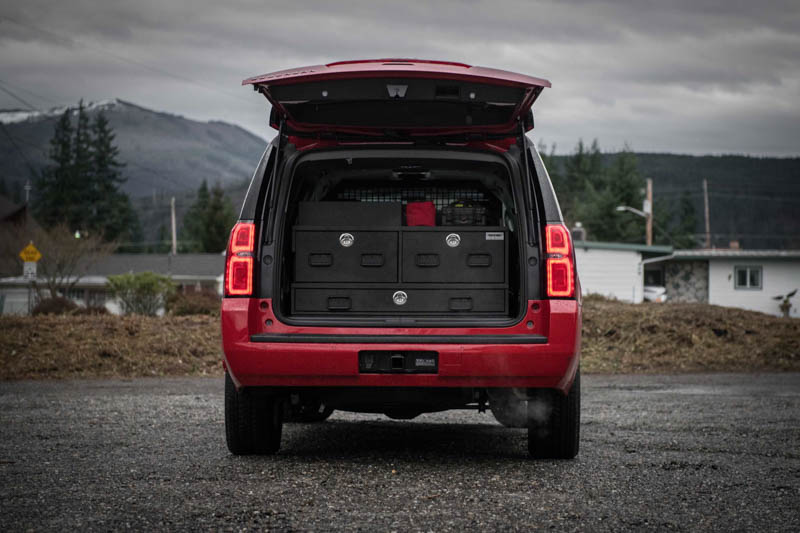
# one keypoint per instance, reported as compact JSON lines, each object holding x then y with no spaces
{"x":165,"y":154}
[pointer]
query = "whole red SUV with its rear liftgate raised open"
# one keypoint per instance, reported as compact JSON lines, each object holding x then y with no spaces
{"x":400,"y":250}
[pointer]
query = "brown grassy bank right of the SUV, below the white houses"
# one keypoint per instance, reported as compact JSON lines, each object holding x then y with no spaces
{"x":673,"y":337}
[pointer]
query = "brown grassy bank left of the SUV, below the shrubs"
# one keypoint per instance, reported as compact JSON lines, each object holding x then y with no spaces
{"x":108,"y":346}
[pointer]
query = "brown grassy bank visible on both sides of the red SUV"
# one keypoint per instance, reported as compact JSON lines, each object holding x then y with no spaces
{"x":617,"y":338}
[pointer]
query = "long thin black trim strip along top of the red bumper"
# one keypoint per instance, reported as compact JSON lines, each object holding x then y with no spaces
{"x":397,"y":339}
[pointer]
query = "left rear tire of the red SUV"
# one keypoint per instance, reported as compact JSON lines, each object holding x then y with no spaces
{"x":253,"y":424}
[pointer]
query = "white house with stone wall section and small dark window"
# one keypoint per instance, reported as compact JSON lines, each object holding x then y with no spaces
{"x":747,"y":279}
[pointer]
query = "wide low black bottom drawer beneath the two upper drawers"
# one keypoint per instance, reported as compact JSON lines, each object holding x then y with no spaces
{"x":382,"y":301}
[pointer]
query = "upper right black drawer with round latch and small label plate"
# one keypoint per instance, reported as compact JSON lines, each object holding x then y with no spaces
{"x":454,"y":255}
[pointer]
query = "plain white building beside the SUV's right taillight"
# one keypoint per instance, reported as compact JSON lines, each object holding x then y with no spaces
{"x":615,"y":270}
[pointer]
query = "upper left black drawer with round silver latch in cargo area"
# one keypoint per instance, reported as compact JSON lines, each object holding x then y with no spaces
{"x":346,"y":255}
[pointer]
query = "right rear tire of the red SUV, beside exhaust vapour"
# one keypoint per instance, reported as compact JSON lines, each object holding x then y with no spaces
{"x":554,"y":423}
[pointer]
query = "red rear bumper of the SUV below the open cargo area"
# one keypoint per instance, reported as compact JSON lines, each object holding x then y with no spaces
{"x":546,"y":354}
